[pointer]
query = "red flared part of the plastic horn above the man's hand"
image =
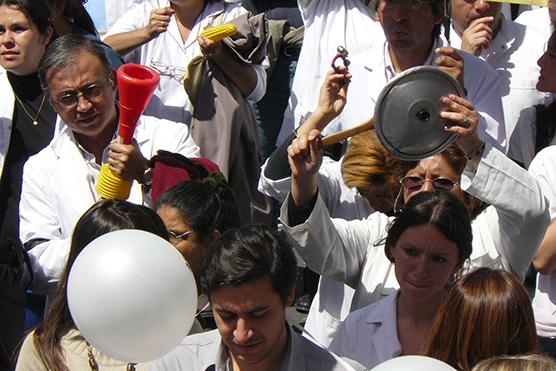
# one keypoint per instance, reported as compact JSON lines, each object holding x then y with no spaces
{"x":136,"y":84}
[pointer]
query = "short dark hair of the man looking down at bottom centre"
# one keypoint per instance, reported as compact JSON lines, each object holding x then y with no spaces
{"x":247,"y":254}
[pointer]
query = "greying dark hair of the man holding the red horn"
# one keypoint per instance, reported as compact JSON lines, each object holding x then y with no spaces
{"x":64,"y":50}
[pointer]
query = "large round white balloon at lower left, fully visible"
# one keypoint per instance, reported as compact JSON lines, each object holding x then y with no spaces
{"x":132,"y":295}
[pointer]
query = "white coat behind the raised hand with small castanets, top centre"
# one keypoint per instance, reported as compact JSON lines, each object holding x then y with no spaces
{"x":328,"y":24}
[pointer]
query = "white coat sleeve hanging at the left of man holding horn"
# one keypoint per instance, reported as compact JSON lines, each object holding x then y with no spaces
{"x":39,"y":220}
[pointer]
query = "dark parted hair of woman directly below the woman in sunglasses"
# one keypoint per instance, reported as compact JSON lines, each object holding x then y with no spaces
{"x":441,"y":209}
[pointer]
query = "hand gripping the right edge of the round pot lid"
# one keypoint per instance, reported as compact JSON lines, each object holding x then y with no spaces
{"x":464,"y":120}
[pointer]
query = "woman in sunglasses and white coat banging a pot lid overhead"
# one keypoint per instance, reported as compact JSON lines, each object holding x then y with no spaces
{"x":506,"y":233}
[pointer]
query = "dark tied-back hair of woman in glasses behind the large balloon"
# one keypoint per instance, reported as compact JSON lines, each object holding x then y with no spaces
{"x":205,"y":205}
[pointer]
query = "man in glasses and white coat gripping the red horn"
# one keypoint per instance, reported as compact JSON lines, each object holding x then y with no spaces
{"x":59,"y":182}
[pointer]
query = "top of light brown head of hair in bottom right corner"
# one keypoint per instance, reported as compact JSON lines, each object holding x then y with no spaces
{"x":523,"y":362}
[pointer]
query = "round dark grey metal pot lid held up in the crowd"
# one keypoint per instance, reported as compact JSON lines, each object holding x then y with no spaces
{"x":407,"y":113}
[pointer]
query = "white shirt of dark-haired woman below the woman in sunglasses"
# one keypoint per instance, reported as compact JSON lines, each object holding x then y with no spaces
{"x":369,"y":335}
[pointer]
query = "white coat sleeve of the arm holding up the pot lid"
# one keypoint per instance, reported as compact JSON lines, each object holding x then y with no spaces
{"x":518,"y":217}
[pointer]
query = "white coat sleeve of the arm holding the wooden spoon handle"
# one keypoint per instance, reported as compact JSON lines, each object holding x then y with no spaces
{"x":334,"y":248}
